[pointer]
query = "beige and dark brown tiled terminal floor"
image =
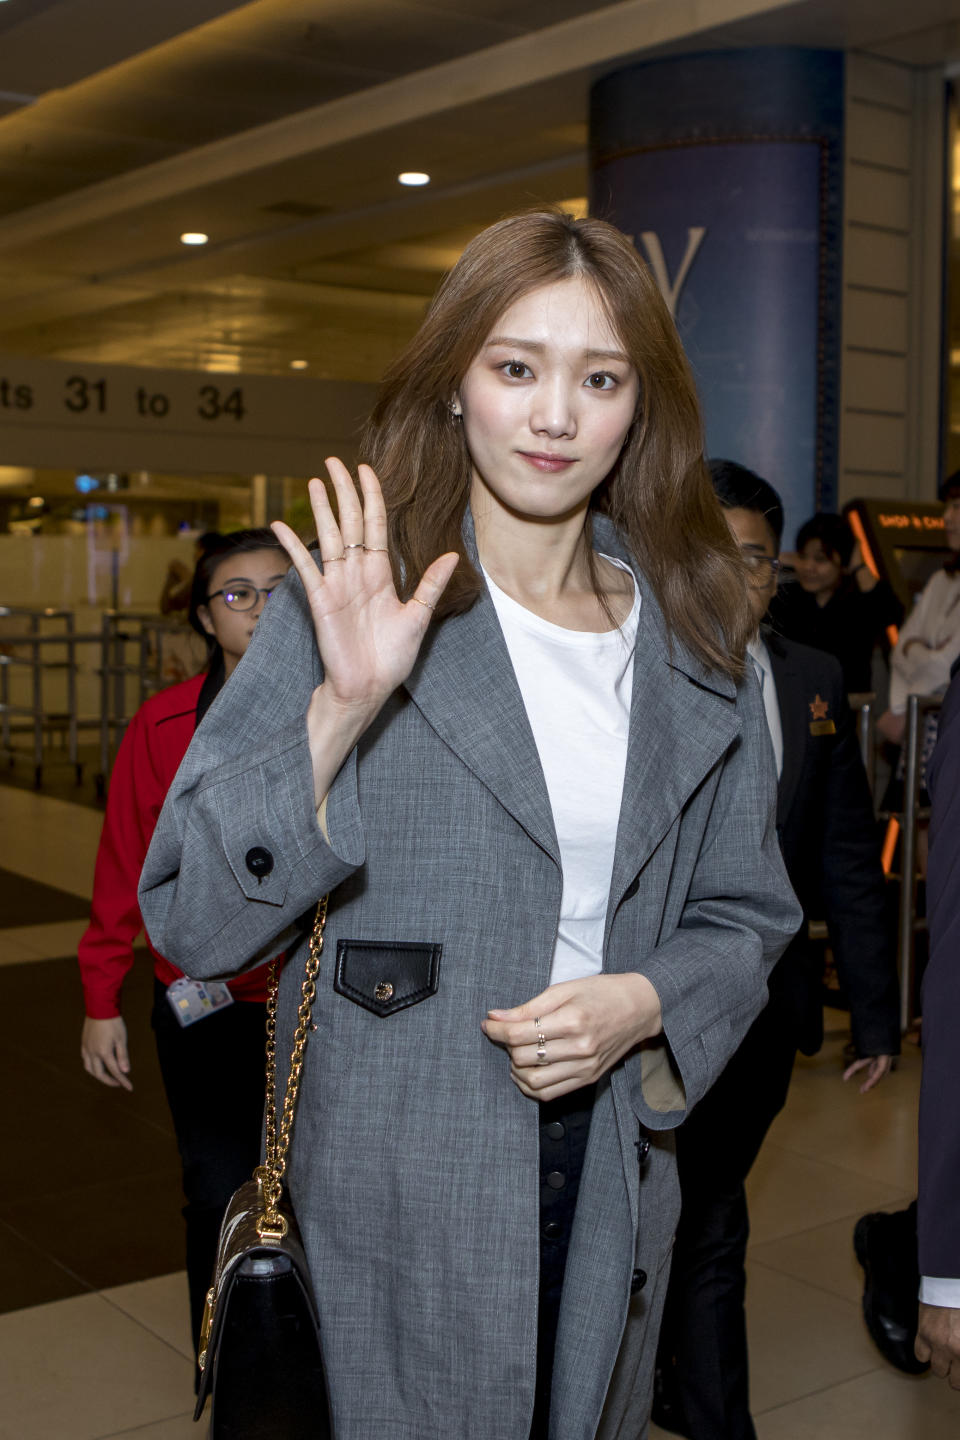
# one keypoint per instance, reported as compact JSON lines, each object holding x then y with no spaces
{"x":106,"y":1359}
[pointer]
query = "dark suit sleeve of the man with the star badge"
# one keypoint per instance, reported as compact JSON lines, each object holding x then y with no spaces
{"x":854,"y":892}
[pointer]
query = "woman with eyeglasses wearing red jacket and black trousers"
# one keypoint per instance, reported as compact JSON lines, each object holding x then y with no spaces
{"x":211,"y":1045}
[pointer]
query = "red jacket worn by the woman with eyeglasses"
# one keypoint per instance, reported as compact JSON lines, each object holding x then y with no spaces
{"x":148,"y":761}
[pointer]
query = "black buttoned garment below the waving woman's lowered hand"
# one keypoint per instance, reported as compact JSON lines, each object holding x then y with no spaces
{"x":565,"y":1127}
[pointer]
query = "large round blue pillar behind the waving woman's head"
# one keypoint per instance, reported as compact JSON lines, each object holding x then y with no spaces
{"x":726,"y":169}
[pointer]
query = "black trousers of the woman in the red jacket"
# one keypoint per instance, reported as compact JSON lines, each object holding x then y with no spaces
{"x":214,"y":1076}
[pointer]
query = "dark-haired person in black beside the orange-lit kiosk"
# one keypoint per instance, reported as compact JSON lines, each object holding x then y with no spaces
{"x":837,"y":604}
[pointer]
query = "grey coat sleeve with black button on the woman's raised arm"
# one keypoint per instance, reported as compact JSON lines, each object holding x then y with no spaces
{"x":238,"y":858}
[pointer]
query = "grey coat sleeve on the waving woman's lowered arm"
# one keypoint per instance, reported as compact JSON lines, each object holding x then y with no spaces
{"x":738,"y":918}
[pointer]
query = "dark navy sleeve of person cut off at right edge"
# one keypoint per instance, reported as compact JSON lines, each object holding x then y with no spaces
{"x":939,"y":1200}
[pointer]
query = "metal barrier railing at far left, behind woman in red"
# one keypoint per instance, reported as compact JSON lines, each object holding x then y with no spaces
{"x":110,"y":660}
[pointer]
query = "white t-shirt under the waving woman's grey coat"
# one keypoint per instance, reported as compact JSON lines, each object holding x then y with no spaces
{"x":578,"y":689}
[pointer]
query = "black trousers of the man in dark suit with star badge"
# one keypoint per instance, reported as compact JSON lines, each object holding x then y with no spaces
{"x":703,"y":1347}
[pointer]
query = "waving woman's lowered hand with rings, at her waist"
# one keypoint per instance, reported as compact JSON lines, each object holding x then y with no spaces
{"x":588,"y":1026}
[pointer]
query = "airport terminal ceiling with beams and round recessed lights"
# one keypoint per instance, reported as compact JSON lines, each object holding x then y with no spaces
{"x":279,"y":129}
